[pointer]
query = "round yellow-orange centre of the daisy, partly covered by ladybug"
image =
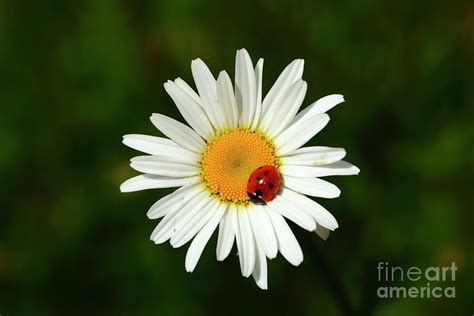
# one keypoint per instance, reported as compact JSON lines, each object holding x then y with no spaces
{"x":230,"y":159}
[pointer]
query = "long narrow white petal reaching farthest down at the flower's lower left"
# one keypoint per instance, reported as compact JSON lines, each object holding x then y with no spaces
{"x":201,"y":239}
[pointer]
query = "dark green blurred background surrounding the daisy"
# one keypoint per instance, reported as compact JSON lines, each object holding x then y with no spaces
{"x":77,"y":75}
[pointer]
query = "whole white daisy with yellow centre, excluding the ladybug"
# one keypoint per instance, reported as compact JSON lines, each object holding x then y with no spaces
{"x":230,"y":133}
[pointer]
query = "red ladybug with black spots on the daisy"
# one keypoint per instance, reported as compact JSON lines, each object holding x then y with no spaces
{"x":263,"y":184}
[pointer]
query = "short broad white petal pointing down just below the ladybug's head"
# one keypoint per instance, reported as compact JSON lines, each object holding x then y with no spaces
{"x":263,"y":230}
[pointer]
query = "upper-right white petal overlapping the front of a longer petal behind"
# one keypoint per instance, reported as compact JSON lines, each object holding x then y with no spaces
{"x":283,"y":114}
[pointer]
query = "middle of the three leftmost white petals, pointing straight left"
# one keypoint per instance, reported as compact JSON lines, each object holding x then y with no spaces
{"x":164,"y":166}
